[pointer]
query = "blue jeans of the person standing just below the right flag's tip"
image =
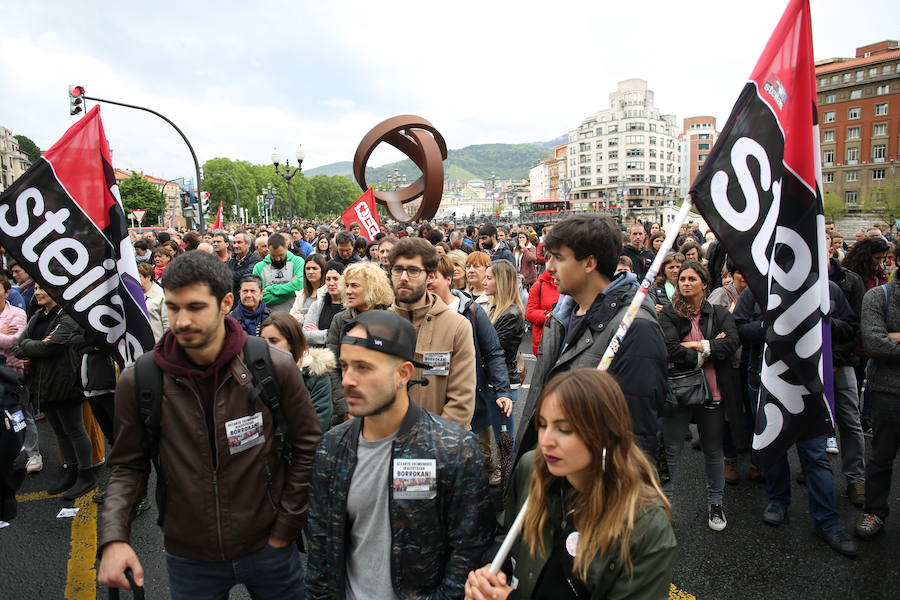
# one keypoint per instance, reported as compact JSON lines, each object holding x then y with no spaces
{"x":819,"y":483}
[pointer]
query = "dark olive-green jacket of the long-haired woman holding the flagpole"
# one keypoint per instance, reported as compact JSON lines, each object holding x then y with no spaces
{"x":653,"y":548}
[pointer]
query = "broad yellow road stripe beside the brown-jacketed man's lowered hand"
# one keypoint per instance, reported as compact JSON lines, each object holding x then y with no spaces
{"x":81,"y":576}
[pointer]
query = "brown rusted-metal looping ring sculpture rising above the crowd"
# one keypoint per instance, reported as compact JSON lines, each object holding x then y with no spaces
{"x":424,"y":145}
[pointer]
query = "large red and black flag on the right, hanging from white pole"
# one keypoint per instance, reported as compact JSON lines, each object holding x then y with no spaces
{"x":760,"y":191}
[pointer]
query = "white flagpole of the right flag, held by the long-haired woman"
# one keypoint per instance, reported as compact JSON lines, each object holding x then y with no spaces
{"x":608,"y":356}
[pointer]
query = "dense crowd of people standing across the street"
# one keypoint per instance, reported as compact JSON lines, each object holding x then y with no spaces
{"x":396,"y":365}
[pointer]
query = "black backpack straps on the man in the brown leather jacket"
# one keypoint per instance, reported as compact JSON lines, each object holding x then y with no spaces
{"x":148,"y":383}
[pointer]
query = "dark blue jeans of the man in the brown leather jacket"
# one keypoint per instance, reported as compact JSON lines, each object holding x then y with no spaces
{"x":269,"y":573}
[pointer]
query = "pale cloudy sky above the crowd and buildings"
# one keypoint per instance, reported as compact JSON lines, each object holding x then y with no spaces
{"x":241,"y":78}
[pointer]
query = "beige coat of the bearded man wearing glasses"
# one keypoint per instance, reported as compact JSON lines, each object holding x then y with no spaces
{"x":440,"y":330}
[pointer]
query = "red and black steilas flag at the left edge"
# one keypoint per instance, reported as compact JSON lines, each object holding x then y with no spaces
{"x":63,"y":221}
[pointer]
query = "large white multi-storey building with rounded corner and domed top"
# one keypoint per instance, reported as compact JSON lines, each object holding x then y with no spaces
{"x":628,"y":155}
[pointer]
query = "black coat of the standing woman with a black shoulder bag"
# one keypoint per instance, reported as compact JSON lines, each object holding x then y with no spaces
{"x":676,"y":328}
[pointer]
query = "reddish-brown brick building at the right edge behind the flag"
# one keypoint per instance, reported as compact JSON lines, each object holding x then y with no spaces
{"x":859,"y":121}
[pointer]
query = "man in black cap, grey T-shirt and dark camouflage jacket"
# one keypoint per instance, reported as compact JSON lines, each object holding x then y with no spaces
{"x":399,"y":503}
